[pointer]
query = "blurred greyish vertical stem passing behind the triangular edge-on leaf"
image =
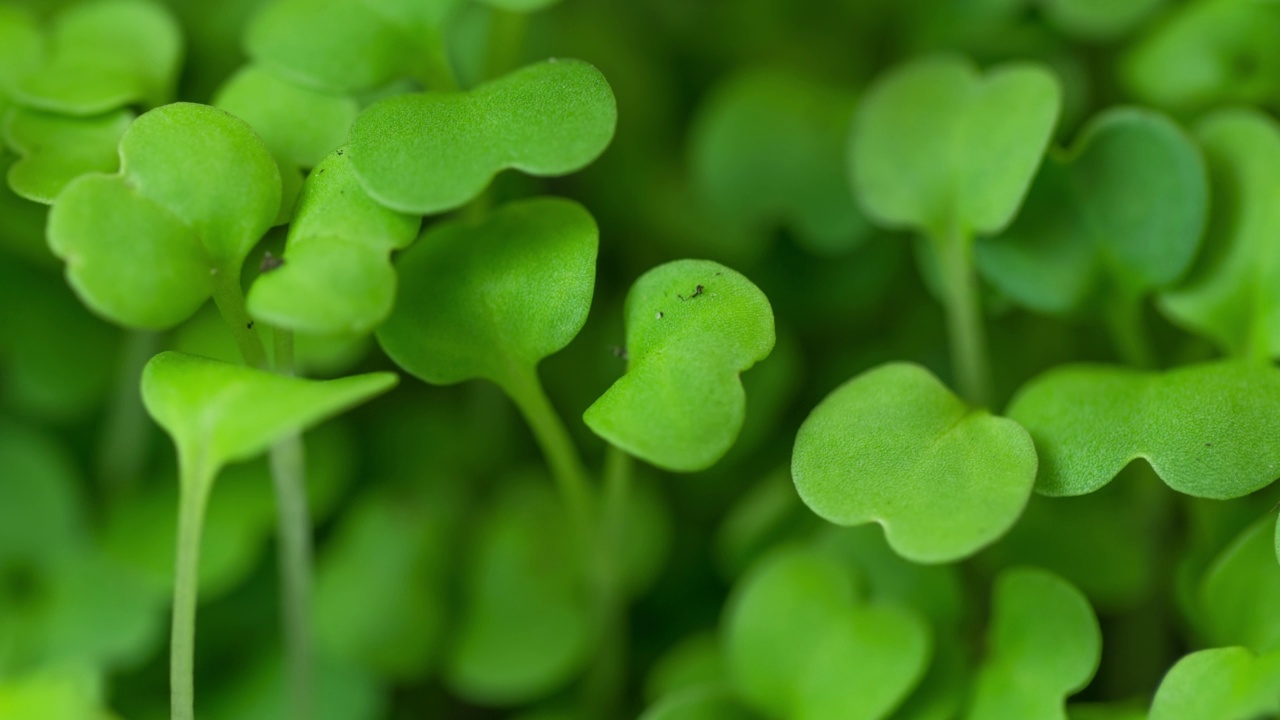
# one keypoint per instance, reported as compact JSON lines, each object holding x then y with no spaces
{"x":294,"y":521}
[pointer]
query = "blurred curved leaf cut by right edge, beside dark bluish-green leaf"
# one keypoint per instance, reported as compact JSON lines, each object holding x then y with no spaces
{"x":1232,"y":297}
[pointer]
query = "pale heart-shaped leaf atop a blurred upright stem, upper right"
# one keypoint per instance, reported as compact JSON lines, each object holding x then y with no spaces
{"x":925,"y":136}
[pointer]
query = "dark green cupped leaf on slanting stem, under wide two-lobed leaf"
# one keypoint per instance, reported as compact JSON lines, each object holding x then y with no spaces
{"x":492,"y":299}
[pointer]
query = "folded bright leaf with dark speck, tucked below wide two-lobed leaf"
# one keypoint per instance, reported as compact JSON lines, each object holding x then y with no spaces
{"x":337,"y":277}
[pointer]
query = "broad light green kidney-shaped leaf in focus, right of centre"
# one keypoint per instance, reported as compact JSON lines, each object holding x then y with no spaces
{"x":897,"y":448}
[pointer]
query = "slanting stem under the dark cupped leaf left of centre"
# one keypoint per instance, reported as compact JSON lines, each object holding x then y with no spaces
{"x":527,"y":391}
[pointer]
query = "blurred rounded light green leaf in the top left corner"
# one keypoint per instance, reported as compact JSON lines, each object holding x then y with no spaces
{"x":103,"y":56}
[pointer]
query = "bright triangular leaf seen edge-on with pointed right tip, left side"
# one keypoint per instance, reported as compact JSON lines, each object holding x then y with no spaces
{"x":218,"y":413}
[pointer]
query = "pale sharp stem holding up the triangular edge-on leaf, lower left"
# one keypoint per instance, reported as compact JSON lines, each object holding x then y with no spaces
{"x":193,"y":499}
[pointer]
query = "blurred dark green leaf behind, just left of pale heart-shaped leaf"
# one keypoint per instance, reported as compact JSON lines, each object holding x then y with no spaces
{"x":769,"y":151}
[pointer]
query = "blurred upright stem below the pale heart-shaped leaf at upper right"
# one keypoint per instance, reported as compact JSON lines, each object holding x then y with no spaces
{"x":966,"y":331}
